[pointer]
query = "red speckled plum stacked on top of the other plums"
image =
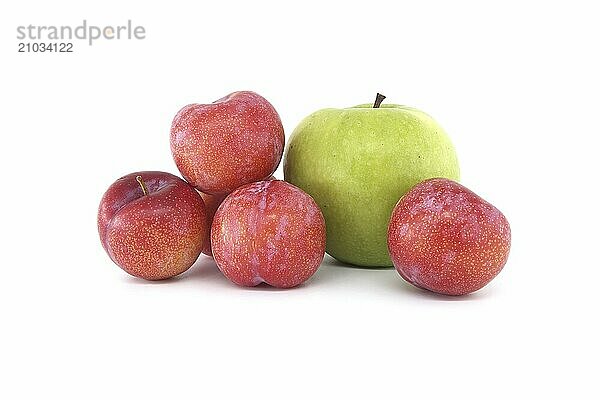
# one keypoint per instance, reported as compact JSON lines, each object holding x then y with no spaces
{"x":233,"y":141}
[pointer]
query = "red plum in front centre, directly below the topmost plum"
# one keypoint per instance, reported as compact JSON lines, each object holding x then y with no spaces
{"x":270,"y":232}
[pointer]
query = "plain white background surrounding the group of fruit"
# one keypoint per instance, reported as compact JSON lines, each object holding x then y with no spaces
{"x":515,"y":84}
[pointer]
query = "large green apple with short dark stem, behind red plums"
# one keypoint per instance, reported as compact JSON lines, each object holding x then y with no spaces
{"x":357,"y":162}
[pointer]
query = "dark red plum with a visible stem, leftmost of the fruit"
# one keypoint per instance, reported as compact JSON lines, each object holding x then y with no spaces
{"x":152,"y":224}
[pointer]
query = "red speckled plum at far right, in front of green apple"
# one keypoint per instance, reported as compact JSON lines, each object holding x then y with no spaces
{"x":444,"y":238}
